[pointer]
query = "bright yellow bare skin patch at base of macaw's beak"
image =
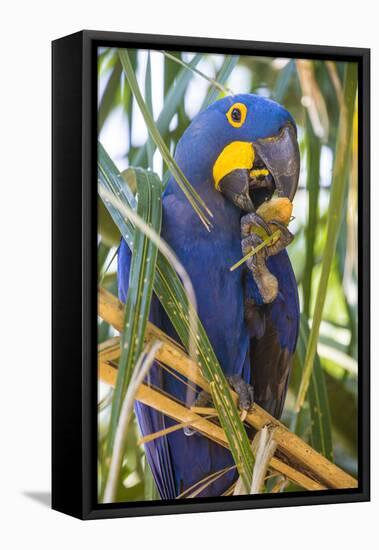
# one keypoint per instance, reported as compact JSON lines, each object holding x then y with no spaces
{"x":238,"y":155}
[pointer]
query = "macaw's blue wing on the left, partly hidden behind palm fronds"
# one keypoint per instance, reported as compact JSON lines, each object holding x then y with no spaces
{"x":149,"y":420}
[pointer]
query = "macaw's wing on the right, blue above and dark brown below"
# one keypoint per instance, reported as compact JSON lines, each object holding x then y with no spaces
{"x":274,"y":330}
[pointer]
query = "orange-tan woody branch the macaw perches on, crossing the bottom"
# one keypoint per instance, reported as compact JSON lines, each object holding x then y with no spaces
{"x":295,"y":459}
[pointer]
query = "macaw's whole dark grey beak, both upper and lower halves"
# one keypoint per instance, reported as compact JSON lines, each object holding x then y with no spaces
{"x":280,"y":155}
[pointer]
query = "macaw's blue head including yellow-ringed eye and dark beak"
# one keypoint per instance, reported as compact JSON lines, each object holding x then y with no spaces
{"x":247,"y":146}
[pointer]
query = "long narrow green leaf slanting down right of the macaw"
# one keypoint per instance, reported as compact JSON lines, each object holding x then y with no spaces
{"x":337,"y":194}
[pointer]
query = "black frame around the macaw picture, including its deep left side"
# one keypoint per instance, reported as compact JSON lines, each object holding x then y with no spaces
{"x":74,"y":294}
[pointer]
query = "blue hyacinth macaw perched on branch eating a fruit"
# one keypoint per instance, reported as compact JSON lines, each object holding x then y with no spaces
{"x":236,"y":153}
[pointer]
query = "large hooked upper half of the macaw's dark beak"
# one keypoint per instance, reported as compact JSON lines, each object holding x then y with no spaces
{"x":281,"y":156}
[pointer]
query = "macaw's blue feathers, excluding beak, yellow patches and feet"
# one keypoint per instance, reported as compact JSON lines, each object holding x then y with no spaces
{"x":179,"y":461}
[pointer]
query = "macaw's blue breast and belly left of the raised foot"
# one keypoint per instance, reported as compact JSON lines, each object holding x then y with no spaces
{"x":207,"y":258}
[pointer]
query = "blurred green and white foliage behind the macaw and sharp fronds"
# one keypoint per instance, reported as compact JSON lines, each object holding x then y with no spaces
{"x":311,"y":91}
